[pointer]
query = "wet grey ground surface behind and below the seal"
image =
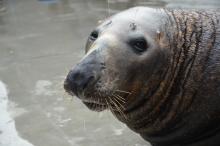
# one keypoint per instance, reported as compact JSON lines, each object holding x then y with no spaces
{"x":39,"y":42}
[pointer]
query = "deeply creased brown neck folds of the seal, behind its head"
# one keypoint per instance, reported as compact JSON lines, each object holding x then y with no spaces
{"x":190,"y":39}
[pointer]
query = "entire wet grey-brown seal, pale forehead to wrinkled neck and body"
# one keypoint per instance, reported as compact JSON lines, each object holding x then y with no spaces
{"x":158,"y":71}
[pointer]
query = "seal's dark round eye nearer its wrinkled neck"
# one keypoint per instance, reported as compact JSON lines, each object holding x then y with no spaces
{"x":139,"y":45}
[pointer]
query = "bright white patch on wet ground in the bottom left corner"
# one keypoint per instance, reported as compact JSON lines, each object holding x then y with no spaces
{"x":8,"y":134}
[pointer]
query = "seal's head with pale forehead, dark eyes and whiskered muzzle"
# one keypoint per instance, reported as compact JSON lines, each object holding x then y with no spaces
{"x":122,"y":55}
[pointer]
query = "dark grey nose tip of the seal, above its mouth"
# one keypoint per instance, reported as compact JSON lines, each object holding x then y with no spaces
{"x":77,"y":81}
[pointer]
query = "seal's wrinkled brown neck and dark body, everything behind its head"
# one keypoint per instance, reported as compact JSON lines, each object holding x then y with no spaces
{"x":184,"y":106}
